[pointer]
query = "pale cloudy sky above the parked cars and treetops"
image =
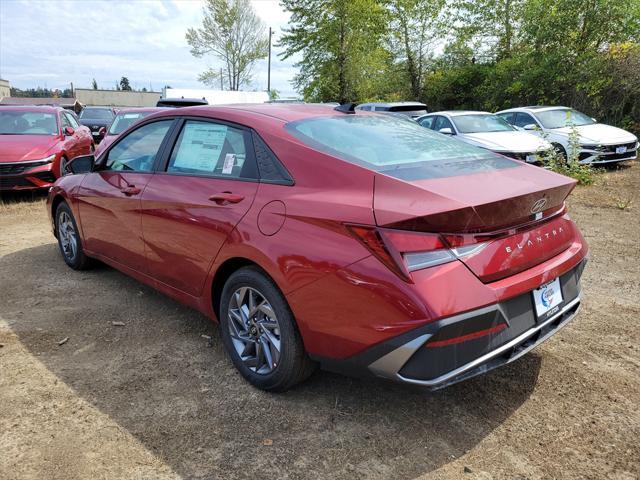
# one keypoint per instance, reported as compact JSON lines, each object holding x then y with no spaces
{"x":50,"y":43}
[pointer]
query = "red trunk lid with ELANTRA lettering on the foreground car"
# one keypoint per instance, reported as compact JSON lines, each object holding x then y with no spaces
{"x":514,"y":214}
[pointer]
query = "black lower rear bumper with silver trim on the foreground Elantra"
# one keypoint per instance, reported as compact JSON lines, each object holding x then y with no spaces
{"x":432,"y":357}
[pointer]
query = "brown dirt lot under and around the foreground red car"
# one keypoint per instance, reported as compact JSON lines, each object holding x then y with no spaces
{"x":155,"y":399}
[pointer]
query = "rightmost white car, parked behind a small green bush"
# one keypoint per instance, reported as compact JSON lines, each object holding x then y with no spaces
{"x":599,"y":143}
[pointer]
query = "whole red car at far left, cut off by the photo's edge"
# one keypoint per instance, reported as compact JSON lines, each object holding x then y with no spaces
{"x":36,"y":143}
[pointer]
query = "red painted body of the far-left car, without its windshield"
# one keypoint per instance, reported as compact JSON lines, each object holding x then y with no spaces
{"x":22,"y":156}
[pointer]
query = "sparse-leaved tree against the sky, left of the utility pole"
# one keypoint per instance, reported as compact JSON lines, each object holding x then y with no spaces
{"x":233,"y":32}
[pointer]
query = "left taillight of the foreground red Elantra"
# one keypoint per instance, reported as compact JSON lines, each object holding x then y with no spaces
{"x":404,"y":252}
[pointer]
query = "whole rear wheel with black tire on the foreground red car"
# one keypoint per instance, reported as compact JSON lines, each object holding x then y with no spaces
{"x":270,"y":333}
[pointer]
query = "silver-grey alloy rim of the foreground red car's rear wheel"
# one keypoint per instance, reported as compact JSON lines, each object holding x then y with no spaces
{"x":254,"y":330}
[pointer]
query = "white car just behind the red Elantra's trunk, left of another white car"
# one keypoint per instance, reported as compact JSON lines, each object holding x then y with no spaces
{"x":486,"y":130}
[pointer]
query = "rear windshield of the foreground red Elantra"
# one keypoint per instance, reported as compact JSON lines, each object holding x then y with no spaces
{"x":398,"y":148}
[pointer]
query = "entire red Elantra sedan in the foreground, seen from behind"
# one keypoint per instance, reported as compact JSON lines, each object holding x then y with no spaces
{"x":360,"y":242}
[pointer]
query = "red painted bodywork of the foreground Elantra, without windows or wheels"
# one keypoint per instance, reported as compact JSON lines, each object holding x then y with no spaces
{"x":172,"y":236}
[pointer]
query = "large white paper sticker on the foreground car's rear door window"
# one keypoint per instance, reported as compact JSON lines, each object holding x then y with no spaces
{"x":201,"y":146}
